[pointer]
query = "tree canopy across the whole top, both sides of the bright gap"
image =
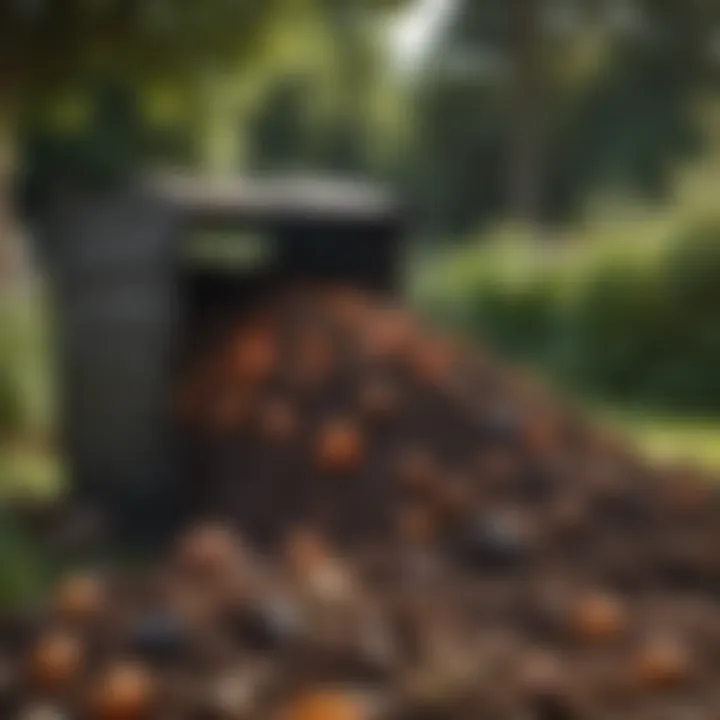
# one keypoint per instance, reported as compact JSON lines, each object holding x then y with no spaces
{"x":527,"y":107}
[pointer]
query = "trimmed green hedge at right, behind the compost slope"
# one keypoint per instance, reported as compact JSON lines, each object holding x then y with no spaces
{"x":612,"y":319}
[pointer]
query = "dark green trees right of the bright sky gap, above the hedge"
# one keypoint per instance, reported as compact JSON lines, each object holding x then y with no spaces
{"x":615,"y":107}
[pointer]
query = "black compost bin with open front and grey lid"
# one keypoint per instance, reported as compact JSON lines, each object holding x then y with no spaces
{"x":138,"y":270}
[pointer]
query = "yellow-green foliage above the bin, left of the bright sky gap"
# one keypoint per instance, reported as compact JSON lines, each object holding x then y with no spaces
{"x":274,"y":84}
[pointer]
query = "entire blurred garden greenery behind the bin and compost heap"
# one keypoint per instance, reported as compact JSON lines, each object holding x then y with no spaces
{"x":560,"y":158}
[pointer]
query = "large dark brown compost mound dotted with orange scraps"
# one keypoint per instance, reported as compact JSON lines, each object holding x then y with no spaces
{"x":387,"y":525}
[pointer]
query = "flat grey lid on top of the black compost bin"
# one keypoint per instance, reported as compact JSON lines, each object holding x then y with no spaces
{"x":294,"y":197}
